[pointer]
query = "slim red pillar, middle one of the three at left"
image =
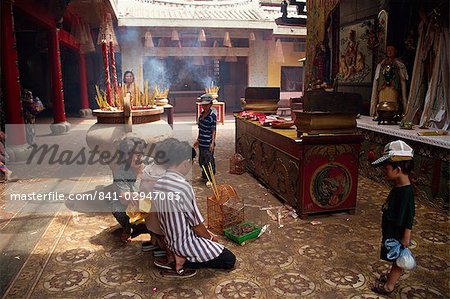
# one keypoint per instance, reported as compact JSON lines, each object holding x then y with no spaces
{"x":59,"y":115}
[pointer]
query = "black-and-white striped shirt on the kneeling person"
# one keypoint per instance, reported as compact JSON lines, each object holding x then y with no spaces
{"x":177,"y":219}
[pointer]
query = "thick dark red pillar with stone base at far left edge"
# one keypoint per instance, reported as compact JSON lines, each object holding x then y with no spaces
{"x":10,"y":78}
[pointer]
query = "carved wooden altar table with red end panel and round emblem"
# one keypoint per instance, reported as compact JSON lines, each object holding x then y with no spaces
{"x":315,"y":174}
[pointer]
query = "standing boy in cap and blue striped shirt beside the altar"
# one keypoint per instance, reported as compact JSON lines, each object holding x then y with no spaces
{"x":206,"y":136}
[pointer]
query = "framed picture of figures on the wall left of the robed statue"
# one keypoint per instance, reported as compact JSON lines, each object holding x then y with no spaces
{"x":357,"y":43}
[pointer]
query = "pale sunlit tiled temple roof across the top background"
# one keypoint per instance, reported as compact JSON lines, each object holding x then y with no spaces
{"x":206,"y":14}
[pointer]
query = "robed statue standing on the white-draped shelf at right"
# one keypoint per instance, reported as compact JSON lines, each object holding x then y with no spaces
{"x":388,"y":101}
